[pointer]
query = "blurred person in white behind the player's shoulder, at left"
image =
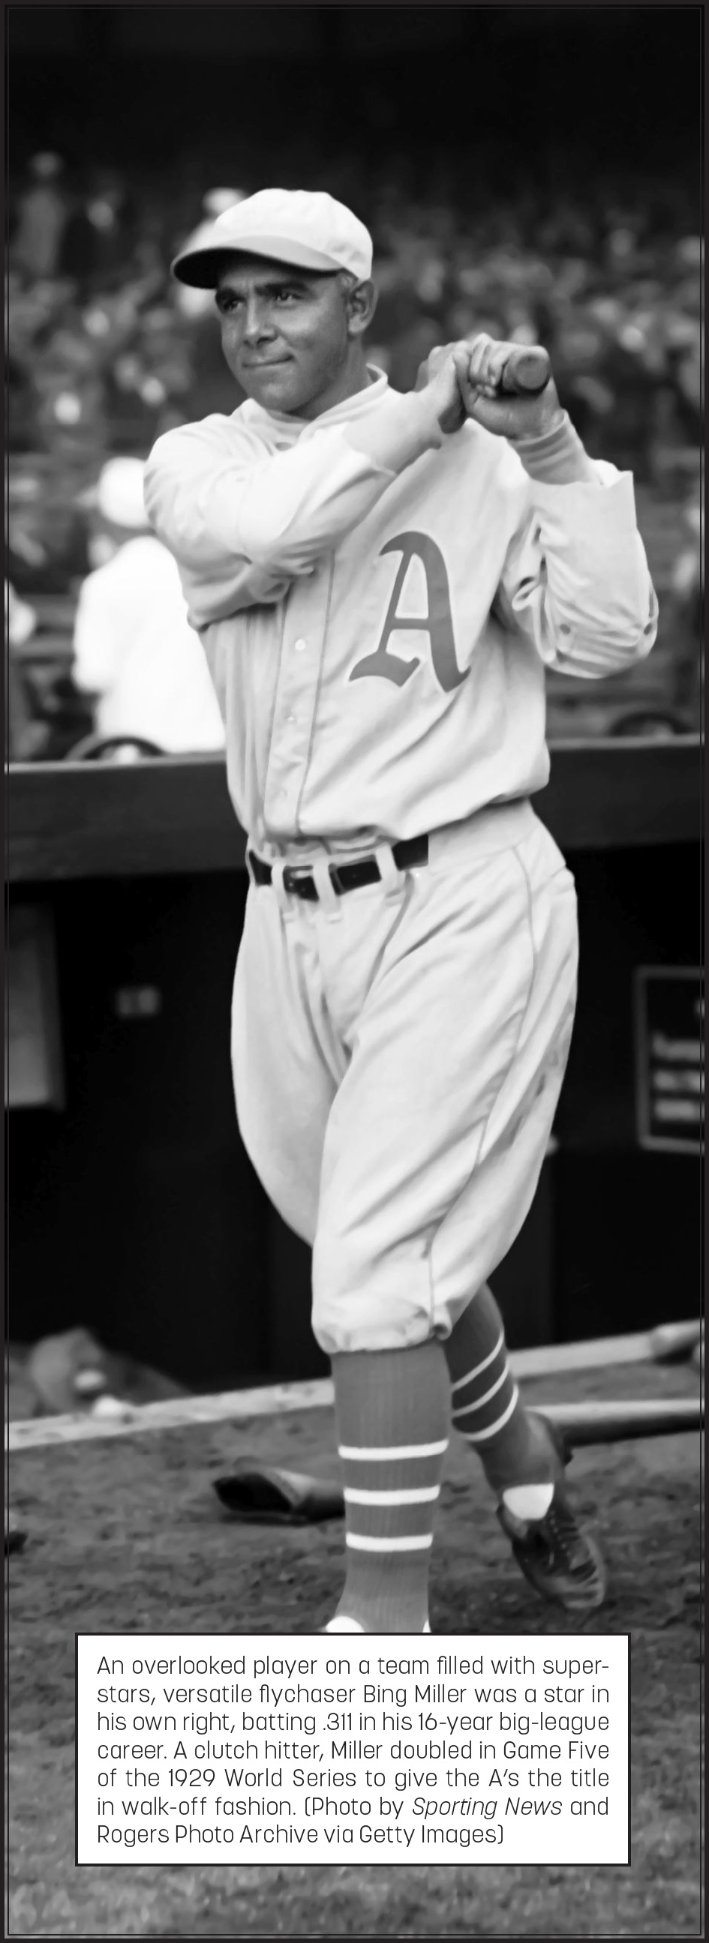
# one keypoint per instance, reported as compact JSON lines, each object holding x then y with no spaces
{"x":133,"y":646}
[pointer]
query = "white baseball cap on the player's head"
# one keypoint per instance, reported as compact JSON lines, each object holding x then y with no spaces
{"x":312,"y":232}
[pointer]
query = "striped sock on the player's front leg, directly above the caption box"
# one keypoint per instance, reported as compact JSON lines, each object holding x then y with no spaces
{"x":393,"y":1412}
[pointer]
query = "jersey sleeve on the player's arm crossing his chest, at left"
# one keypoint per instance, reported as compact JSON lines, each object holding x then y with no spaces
{"x":252,"y":522}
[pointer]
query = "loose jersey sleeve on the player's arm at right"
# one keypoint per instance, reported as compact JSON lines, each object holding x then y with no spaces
{"x":576,"y":574}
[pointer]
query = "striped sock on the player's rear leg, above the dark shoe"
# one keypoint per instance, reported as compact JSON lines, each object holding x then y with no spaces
{"x":487,"y":1408}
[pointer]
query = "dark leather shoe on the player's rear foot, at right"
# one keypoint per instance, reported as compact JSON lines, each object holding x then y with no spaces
{"x":557,"y":1553}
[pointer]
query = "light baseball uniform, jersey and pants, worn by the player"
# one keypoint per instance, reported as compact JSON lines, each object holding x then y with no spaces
{"x":378,"y":605}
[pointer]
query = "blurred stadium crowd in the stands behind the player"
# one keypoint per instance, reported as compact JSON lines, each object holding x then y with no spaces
{"x":106,"y":353}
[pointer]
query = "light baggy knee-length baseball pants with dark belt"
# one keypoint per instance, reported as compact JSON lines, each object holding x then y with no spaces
{"x":399,"y":1056}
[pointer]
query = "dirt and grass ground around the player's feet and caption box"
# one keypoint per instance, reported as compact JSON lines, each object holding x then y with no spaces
{"x":127,"y":1536}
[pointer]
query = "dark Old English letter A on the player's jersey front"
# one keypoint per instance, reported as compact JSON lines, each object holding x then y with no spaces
{"x":436,"y":621}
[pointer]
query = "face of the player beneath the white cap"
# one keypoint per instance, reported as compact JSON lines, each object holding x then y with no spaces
{"x":287,"y":335}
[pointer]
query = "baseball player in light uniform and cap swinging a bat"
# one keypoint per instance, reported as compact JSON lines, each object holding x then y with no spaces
{"x":380,"y":584}
